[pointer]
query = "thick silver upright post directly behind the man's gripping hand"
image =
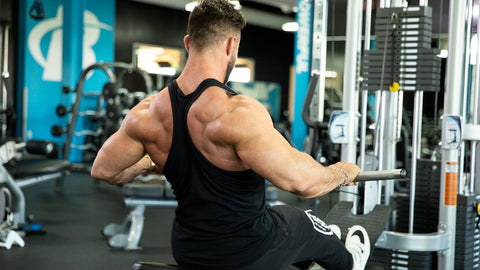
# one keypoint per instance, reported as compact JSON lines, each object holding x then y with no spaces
{"x":350,"y":93}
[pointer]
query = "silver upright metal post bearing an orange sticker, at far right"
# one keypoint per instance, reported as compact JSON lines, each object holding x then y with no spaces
{"x":449,"y":172}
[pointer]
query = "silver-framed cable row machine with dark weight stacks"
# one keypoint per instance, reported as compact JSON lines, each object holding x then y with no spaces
{"x":444,"y":234}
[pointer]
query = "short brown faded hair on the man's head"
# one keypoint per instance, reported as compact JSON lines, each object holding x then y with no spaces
{"x":212,"y":21}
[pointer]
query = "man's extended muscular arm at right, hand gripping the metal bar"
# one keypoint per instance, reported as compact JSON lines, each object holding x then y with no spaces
{"x":266,"y":151}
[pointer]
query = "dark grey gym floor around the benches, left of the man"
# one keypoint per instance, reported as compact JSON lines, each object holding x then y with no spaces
{"x":73,"y":220}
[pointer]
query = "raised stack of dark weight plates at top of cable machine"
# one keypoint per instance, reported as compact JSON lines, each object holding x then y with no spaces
{"x":403,"y":52}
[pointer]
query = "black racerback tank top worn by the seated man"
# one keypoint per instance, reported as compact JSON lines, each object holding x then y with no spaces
{"x":221,"y":221}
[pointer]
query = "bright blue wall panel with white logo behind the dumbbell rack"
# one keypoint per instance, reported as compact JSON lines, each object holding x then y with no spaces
{"x":48,"y":62}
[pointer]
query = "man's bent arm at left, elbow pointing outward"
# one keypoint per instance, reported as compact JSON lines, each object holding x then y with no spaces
{"x":122,"y":156}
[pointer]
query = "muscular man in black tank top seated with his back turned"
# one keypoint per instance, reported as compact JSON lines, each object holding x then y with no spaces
{"x":211,"y":143}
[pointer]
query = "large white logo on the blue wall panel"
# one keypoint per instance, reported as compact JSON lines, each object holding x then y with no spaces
{"x":52,"y":62}
